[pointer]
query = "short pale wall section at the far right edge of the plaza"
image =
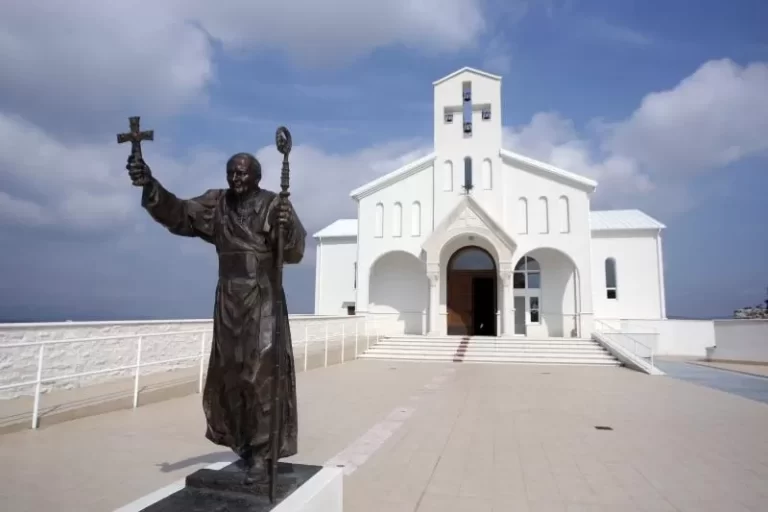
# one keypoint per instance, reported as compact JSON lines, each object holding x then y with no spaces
{"x":740,"y":340}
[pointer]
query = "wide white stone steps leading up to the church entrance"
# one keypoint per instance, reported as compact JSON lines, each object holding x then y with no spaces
{"x":508,"y":350}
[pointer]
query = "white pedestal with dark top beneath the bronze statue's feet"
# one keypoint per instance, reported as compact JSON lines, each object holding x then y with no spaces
{"x":300,"y":488}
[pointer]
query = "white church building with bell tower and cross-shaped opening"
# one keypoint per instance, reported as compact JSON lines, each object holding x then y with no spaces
{"x":475,"y":239}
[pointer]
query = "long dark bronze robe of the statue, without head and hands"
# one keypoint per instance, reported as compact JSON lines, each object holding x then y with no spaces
{"x":238,"y":388}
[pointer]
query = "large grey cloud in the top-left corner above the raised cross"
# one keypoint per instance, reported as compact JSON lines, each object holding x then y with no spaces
{"x":97,"y":55}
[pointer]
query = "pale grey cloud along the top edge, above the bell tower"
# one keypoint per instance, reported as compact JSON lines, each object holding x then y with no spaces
{"x":311,"y":31}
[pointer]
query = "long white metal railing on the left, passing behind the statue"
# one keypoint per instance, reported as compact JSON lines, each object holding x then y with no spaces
{"x":371,"y":328}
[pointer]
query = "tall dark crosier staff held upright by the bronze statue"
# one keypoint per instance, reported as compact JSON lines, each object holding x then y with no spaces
{"x":284,"y":144}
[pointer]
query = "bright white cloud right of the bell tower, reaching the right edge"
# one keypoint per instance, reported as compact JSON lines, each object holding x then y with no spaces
{"x":713,"y":118}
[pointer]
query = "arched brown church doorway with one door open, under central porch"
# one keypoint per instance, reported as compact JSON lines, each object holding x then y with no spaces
{"x":472,"y":278}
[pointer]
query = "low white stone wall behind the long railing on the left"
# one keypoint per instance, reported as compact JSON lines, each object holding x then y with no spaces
{"x":19,"y":364}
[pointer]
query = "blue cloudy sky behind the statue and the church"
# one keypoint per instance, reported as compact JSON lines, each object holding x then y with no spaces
{"x":664,"y":103}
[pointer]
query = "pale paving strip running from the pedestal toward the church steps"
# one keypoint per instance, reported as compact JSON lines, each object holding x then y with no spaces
{"x":360,"y":450}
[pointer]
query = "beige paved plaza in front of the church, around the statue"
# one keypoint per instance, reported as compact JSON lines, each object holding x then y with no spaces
{"x":438,"y":437}
